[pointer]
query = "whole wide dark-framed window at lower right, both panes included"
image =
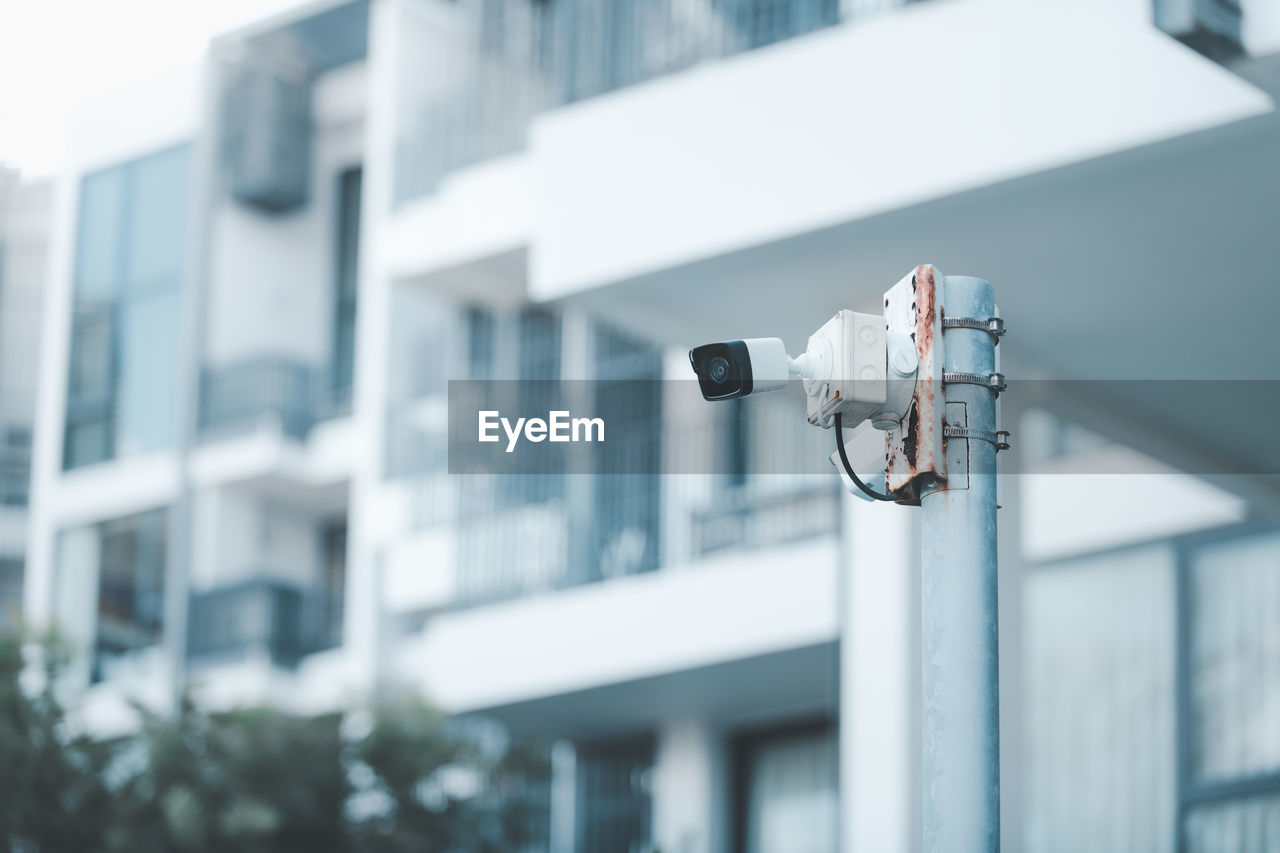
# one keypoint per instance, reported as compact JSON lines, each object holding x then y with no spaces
{"x":1154,"y":699}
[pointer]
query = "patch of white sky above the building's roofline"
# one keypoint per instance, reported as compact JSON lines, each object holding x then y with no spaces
{"x":58,"y":53}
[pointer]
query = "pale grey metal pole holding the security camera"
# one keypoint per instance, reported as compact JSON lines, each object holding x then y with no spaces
{"x":961,"y":715}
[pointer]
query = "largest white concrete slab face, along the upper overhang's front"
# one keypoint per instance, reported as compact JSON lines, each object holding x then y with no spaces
{"x":851,"y":122}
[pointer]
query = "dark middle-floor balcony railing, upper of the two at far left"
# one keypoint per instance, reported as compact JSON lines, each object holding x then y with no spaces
{"x":277,"y":393}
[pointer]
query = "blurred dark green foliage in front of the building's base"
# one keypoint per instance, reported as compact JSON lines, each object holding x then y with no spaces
{"x":394,"y":779}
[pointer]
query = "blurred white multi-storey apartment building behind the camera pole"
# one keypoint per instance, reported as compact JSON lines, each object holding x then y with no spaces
{"x":268,"y":267}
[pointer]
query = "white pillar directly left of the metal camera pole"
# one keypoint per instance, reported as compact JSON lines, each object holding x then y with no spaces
{"x":880,"y":679}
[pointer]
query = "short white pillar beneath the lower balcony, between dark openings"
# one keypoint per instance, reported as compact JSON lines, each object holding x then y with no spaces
{"x":691,"y":804}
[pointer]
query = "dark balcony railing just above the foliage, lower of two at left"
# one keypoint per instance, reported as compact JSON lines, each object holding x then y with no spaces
{"x":257,"y":618}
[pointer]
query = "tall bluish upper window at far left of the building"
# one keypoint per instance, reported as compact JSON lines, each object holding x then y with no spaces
{"x":122,"y":382}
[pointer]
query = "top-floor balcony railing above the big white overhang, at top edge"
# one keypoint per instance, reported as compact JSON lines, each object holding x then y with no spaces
{"x":474,"y":72}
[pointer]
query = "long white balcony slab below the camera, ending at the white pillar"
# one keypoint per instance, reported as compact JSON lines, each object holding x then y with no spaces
{"x":724,"y":609}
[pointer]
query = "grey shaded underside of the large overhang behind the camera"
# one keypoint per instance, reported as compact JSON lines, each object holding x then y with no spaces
{"x":1154,"y":264}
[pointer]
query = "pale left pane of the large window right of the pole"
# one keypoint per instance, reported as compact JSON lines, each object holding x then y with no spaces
{"x":1099,"y":682}
